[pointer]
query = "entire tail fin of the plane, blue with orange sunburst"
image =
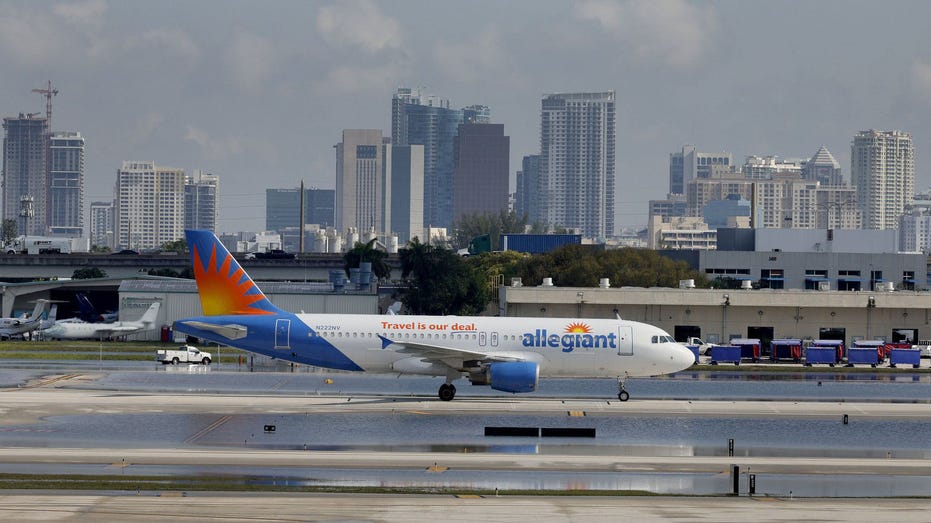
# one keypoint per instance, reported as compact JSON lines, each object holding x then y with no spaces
{"x":223,"y":286}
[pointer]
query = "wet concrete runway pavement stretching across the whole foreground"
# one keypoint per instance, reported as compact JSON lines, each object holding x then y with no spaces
{"x":80,"y":423}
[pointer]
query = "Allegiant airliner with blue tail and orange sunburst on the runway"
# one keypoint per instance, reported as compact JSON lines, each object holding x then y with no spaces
{"x":508,"y":354}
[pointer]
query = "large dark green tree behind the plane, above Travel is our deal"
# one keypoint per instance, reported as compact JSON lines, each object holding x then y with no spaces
{"x":439,"y":282}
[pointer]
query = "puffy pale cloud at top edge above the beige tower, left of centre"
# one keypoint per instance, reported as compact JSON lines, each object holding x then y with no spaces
{"x":359,"y":24}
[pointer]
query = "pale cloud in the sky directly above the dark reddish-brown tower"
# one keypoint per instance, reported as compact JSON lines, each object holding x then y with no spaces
{"x":475,"y":60}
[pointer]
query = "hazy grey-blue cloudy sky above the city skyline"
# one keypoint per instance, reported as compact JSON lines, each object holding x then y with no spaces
{"x":259,"y":92}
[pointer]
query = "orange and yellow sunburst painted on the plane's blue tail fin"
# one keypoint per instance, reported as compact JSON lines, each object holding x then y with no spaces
{"x":225,"y":288}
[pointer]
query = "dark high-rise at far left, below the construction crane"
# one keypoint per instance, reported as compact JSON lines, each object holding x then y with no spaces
{"x":25,"y":176}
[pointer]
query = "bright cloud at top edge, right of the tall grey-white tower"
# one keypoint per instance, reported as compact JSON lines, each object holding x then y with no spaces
{"x":675,"y":32}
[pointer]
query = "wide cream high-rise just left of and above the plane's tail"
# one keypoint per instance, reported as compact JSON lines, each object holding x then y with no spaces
{"x":149,"y":205}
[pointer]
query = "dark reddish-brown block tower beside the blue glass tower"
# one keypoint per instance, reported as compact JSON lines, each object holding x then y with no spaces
{"x":481,"y":175}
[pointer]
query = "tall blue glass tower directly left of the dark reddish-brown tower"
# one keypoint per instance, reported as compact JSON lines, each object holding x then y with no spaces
{"x":428,"y":121}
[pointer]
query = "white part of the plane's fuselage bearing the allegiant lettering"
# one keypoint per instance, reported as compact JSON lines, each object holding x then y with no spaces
{"x":562,"y":347}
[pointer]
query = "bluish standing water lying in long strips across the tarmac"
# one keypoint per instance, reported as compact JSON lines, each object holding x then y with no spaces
{"x":443,"y":432}
